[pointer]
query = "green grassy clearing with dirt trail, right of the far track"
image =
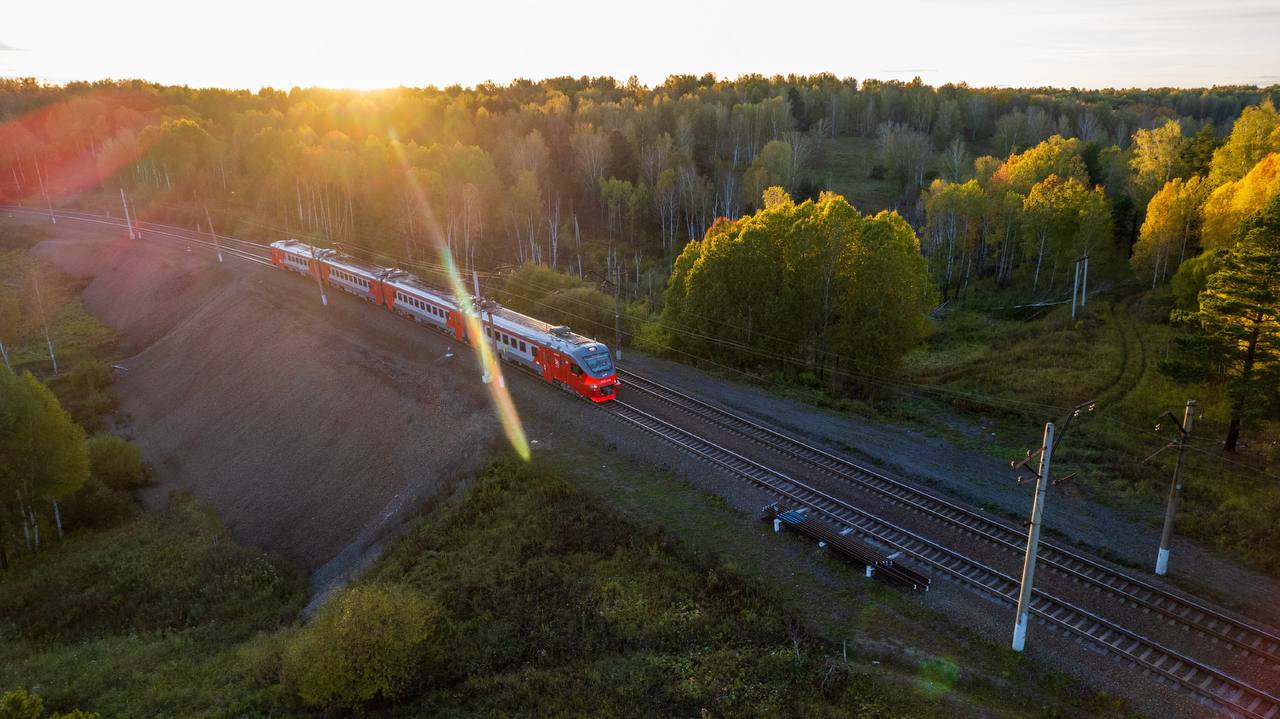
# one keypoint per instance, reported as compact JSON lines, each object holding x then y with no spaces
{"x":1016,"y":375}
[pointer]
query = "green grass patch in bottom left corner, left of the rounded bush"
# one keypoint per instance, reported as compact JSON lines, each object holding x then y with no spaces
{"x":144,"y":620}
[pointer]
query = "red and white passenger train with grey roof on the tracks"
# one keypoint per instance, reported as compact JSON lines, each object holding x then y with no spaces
{"x":555,"y":354}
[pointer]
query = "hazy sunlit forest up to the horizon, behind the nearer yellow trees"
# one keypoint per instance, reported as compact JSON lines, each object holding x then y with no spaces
{"x":574,"y":173}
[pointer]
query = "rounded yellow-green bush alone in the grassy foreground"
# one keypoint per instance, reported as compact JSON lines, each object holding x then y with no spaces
{"x":365,"y":644}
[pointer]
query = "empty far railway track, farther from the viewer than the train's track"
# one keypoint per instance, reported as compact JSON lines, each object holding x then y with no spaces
{"x":1247,"y":639}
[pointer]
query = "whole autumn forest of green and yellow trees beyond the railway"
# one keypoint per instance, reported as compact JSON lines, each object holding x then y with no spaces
{"x":661,"y":195}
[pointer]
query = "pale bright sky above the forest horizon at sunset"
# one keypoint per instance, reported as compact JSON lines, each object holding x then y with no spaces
{"x":371,"y":44}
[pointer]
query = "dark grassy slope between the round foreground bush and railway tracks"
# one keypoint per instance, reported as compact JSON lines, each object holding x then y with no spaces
{"x":575,"y":608}
